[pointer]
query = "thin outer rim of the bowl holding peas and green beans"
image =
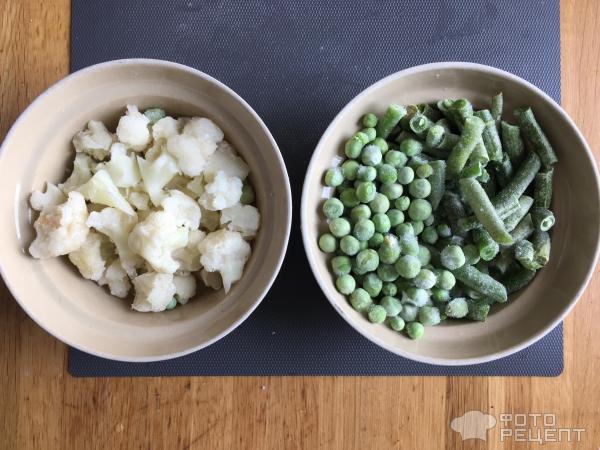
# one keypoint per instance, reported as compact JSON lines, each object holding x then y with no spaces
{"x":309,"y":244}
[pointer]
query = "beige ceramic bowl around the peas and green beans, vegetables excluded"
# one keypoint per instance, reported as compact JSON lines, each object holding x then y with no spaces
{"x":529,"y":315}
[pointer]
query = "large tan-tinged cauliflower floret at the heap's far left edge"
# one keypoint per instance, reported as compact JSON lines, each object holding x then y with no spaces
{"x":60,"y":229}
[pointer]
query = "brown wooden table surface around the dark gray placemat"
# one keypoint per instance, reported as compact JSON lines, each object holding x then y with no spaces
{"x":43,"y":407}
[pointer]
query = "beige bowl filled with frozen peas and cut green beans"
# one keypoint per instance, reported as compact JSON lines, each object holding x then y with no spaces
{"x":450,"y":213}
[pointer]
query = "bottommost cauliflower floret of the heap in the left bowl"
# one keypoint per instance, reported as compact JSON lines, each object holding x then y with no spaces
{"x":153,"y":292}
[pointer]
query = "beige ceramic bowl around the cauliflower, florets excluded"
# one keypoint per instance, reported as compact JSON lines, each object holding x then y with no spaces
{"x":38,"y":148}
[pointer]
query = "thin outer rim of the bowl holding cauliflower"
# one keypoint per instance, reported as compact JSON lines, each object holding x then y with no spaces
{"x":184,"y":68}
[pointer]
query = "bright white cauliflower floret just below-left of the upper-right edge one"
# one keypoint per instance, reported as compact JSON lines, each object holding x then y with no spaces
{"x":191,"y":153}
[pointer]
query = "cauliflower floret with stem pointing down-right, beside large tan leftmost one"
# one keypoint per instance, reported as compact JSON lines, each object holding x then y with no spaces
{"x":117,"y":226}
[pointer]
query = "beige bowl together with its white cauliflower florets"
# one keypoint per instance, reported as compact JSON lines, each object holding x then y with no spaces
{"x":150,"y":209}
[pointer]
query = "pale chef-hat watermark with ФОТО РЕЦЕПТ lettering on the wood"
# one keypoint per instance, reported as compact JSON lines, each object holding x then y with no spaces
{"x":540,"y":428}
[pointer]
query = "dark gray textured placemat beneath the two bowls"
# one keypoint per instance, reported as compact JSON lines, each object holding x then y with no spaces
{"x":297,"y":64}
